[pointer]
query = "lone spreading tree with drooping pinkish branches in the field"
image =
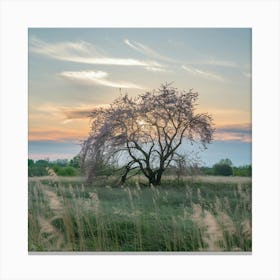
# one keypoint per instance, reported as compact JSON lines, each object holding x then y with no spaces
{"x":145,"y":132}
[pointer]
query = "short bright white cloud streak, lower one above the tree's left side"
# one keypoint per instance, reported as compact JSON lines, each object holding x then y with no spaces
{"x":98,"y":77}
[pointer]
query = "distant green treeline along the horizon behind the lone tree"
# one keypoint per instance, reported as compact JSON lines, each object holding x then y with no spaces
{"x":65,"y":167}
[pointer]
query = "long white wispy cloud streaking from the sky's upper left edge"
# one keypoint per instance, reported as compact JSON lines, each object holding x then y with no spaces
{"x":82,"y":52}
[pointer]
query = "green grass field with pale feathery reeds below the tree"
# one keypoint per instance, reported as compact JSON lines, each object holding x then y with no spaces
{"x":195,"y":214}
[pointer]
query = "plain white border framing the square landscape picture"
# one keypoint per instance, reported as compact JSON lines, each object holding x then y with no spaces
{"x":262,"y":16}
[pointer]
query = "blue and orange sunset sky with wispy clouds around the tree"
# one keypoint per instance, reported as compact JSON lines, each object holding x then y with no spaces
{"x":71,"y":71}
